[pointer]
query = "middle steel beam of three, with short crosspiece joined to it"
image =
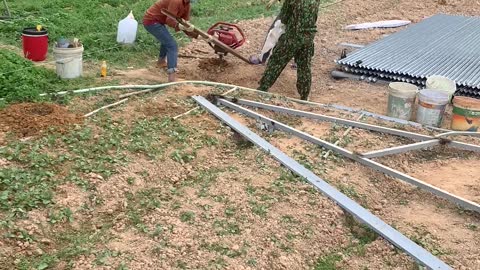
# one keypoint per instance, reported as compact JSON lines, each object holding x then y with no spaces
{"x":348,"y":154}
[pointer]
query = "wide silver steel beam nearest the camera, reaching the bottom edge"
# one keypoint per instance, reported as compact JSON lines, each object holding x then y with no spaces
{"x":386,"y":231}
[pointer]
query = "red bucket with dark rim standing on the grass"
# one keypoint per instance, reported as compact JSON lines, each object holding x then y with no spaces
{"x":35,"y":44}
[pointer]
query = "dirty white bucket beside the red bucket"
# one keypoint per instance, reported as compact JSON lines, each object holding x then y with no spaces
{"x":69,"y":62}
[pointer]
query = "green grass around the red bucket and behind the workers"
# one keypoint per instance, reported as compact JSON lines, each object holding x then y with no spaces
{"x":95,"y":24}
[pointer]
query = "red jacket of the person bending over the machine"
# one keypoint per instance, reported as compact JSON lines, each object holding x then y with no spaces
{"x":181,"y":8}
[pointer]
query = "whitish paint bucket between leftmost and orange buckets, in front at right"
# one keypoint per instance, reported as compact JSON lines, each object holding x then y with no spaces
{"x":431,"y":107}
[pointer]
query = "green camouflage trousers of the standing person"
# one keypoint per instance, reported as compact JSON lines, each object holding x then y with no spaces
{"x":286,"y":49}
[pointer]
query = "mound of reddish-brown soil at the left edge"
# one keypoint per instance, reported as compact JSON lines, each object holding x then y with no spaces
{"x":29,"y":119}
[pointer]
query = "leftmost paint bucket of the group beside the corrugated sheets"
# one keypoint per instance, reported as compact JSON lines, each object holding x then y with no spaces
{"x":401,"y":99}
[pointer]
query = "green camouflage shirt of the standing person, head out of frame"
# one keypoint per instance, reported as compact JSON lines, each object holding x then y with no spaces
{"x":300,"y":16}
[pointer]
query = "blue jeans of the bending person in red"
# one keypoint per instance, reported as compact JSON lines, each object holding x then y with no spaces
{"x":168,"y":45}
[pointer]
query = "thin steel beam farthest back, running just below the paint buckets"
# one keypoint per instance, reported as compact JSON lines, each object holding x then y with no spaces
{"x":319,"y":117}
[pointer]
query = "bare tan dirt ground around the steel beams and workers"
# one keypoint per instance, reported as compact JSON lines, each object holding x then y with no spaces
{"x":255,"y":216}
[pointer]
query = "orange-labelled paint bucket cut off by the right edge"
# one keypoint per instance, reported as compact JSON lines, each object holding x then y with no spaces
{"x":466,"y":114}
